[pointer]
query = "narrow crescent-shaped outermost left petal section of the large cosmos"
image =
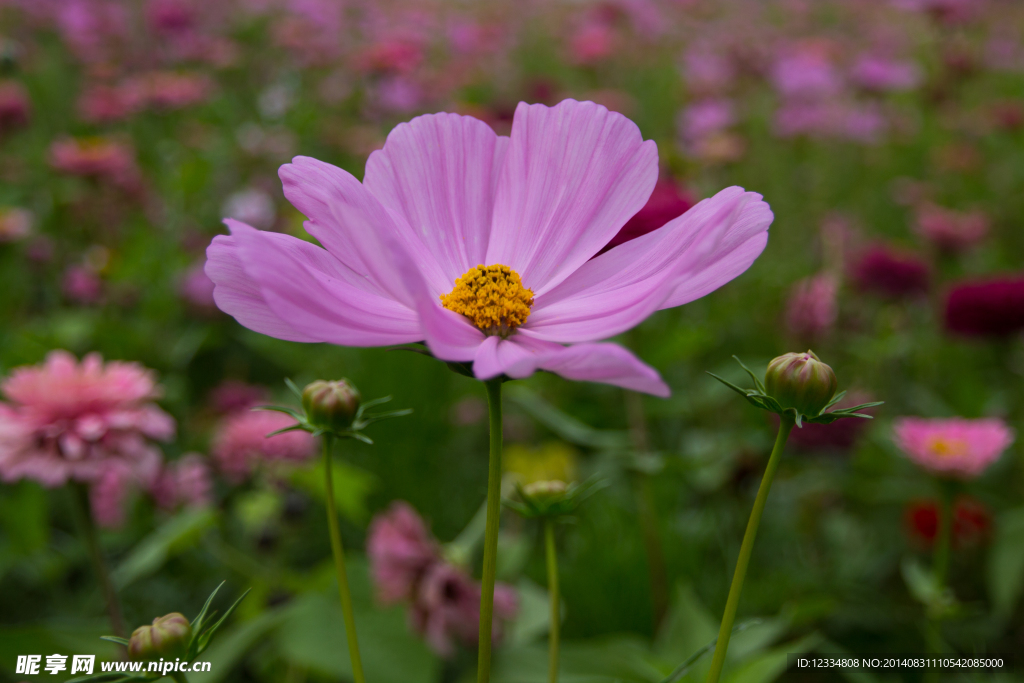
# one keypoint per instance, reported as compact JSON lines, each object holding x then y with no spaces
{"x":239,"y":295}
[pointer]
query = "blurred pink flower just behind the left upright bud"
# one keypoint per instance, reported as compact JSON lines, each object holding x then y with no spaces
{"x":242,"y":445}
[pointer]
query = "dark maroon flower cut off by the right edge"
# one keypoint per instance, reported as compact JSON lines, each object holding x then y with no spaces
{"x":993,"y":309}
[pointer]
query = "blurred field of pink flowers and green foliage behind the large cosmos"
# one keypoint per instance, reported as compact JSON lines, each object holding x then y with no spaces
{"x":886,"y":136}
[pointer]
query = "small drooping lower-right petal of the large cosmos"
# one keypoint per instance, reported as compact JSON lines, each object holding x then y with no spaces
{"x":608,"y":364}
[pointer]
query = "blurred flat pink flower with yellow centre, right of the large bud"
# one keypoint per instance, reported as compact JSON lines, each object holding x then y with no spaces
{"x":954,"y":447}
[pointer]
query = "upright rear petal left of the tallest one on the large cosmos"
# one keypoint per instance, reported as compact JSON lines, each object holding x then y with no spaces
{"x":440,"y":173}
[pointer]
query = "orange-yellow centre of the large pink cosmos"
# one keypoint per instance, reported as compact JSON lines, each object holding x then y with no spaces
{"x":493,"y":298}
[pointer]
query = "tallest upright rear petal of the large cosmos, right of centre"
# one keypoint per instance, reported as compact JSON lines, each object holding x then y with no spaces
{"x":574,"y":176}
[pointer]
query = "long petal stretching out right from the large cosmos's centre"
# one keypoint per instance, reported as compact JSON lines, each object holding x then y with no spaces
{"x":696,"y":253}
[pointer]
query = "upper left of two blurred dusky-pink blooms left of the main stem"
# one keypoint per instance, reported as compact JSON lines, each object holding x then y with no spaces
{"x":401,"y":550}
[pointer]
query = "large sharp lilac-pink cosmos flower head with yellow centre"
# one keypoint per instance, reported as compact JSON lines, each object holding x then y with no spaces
{"x":485,"y":246}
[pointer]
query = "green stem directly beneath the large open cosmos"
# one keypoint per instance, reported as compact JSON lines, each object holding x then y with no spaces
{"x":491,"y":530}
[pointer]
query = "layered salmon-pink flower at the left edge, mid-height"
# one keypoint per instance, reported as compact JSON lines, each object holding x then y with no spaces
{"x":70,"y":420}
